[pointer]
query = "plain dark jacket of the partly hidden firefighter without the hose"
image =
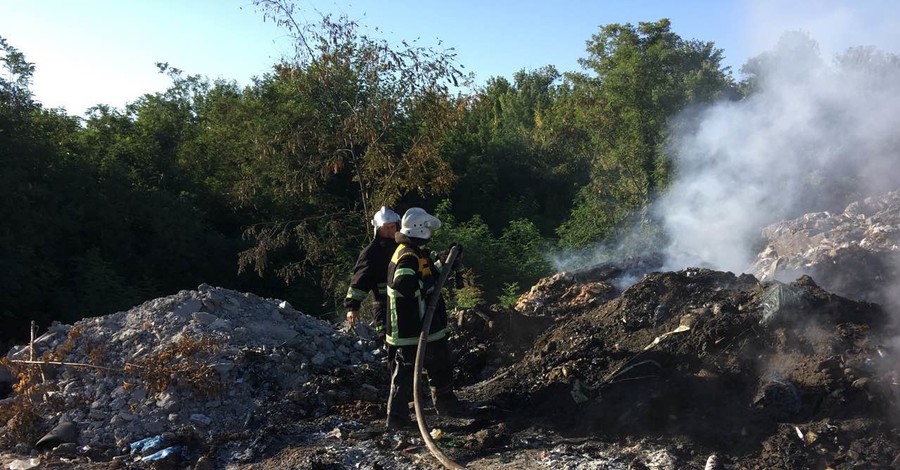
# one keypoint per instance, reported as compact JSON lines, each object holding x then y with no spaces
{"x":370,"y":275}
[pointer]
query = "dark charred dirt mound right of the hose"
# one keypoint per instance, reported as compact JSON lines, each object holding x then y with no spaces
{"x":765,"y":374}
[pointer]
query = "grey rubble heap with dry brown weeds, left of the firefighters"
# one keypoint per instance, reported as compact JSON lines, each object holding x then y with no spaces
{"x":205,"y":363}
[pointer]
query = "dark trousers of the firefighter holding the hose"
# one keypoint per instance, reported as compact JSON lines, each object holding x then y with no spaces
{"x":402,"y":361}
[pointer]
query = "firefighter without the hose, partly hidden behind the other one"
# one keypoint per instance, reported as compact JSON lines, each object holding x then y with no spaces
{"x":370,"y":272}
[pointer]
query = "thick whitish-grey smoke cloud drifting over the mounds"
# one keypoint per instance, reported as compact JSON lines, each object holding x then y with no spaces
{"x":813,"y":135}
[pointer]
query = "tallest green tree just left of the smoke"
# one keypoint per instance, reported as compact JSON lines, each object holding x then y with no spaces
{"x":643,"y":76}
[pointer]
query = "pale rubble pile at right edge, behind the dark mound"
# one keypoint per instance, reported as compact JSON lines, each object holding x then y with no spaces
{"x":855,"y":253}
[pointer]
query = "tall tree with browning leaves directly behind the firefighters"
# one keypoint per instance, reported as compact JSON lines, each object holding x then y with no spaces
{"x":351,"y":124}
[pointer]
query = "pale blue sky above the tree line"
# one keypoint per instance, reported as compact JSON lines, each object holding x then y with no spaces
{"x":103,"y":51}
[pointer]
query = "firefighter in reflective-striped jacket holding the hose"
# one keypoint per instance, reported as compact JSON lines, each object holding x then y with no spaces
{"x":411,"y":279}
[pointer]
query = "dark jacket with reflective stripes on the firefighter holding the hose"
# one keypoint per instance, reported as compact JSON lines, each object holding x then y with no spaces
{"x":411,"y":277}
